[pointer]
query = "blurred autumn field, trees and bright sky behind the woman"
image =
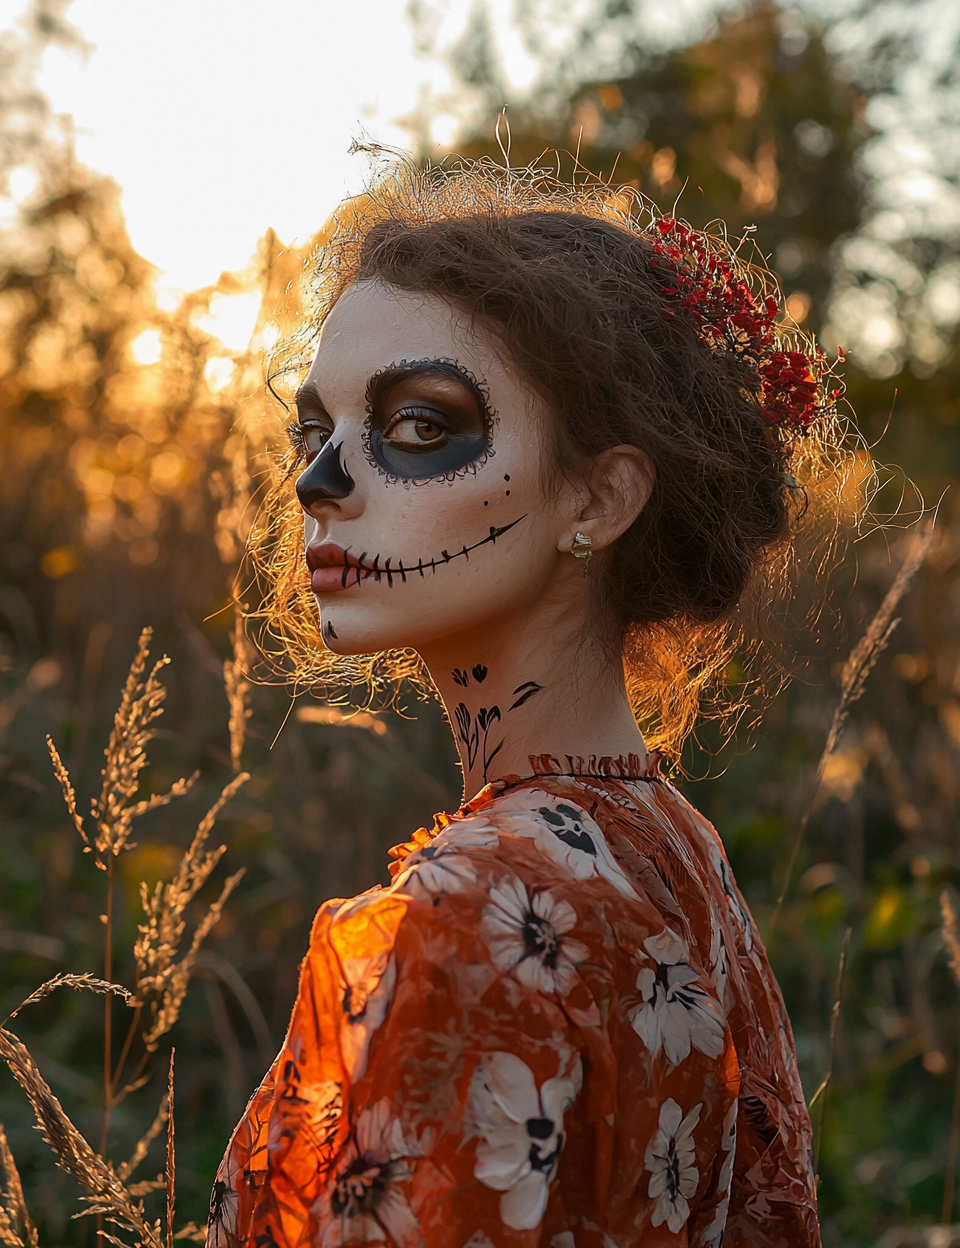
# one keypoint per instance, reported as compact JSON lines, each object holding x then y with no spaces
{"x":162,"y":175}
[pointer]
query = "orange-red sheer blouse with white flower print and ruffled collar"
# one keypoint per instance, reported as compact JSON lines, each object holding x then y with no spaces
{"x":557,"y":1026}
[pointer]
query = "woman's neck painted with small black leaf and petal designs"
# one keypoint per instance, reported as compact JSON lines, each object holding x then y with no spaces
{"x":536,"y":686}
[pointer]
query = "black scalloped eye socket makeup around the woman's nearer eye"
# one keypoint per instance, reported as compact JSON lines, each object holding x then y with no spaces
{"x":429,"y":420}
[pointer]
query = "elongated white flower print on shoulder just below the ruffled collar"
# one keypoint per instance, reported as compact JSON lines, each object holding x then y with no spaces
{"x":564,"y":833}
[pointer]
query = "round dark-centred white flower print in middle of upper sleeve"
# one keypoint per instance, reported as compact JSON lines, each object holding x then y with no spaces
{"x":527,"y":937}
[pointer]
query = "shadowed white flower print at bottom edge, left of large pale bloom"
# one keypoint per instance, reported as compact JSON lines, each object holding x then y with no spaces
{"x":363,"y":1204}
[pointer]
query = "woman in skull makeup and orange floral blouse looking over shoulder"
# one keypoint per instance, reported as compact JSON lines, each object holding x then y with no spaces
{"x":542,"y":452}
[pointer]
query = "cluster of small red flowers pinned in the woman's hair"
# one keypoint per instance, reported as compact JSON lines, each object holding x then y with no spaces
{"x":712,"y":289}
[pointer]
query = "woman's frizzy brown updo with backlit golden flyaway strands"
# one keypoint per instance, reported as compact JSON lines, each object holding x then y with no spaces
{"x":562,"y":278}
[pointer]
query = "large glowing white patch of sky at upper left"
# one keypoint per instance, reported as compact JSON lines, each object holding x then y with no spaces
{"x":222,"y":120}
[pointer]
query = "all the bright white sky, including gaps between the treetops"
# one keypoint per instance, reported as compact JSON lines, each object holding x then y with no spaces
{"x":222,"y":120}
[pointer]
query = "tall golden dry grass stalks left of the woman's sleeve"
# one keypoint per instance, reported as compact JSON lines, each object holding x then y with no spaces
{"x":163,"y":973}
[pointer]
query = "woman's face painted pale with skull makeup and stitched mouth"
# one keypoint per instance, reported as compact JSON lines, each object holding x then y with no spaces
{"x":429,"y":511}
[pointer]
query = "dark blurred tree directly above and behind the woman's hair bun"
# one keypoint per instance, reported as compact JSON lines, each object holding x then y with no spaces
{"x":752,"y":127}
